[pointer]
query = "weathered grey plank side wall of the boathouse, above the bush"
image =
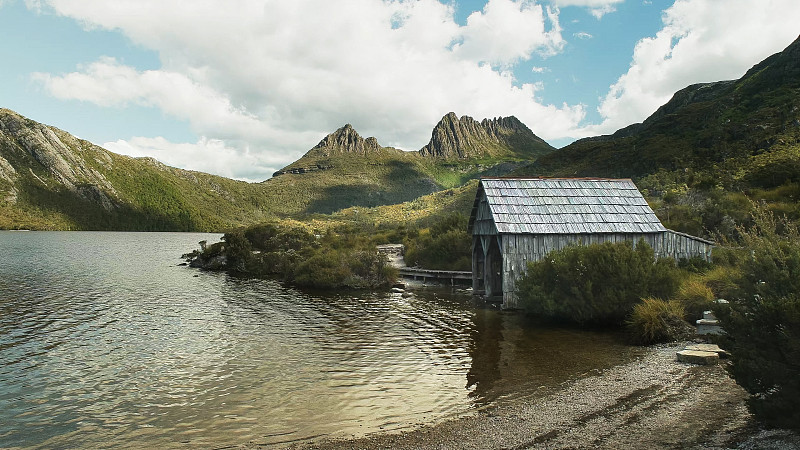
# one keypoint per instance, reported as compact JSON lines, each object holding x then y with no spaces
{"x":519,"y":249}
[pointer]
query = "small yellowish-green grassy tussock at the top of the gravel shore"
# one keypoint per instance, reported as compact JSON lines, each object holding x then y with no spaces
{"x":654,"y":320}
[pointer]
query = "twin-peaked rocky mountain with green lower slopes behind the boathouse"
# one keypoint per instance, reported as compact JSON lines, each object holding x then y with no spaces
{"x":346,"y":170}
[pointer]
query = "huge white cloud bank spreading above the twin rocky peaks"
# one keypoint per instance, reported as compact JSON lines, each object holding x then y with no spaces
{"x":276,"y":76}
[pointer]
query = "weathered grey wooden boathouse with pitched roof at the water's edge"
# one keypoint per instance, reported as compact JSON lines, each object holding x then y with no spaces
{"x":516,"y":220}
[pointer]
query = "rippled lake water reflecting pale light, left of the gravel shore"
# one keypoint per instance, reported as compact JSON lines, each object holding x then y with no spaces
{"x":105,"y":341}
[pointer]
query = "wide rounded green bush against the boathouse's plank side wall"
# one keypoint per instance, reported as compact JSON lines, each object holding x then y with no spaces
{"x":598,"y":283}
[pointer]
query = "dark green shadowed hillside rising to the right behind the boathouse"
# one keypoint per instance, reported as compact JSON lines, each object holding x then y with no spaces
{"x":703,"y":124}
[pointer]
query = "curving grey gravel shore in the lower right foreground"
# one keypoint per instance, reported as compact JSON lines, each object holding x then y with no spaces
{"x":652,"y":402}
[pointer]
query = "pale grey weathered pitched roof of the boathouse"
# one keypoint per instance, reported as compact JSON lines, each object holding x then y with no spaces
{"x":568,"y":206}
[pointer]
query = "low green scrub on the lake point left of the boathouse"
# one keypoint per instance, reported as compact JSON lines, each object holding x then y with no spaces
{"x":335,"y":255}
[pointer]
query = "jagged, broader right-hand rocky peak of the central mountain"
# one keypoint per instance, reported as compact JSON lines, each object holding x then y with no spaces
{"x":464,"y":137}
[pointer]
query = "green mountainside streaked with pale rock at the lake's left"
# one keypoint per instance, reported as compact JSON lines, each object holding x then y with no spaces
{"x":50,"y":179}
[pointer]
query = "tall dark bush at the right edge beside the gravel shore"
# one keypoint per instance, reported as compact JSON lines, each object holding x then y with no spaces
{"x":762,"y":322}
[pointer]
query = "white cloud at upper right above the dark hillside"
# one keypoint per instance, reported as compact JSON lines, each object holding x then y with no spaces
{"x":701,"y":41}
